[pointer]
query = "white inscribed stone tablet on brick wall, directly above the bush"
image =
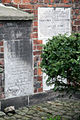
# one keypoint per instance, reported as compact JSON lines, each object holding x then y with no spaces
{"x":53,"y":21}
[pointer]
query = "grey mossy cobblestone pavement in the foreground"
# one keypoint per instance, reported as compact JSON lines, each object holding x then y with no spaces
{"x":68,"y":109}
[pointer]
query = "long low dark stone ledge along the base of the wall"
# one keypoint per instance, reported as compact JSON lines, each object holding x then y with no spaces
{"x":24,"y":101}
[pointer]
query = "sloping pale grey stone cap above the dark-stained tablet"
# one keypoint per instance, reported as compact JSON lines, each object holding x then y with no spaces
{"x":11,"y":13}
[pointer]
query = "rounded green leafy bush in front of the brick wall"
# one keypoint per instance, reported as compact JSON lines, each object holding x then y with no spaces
{"x":61,"y":57}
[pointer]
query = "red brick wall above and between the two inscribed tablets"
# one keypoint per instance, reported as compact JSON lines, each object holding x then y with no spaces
{"x":31,"y":6}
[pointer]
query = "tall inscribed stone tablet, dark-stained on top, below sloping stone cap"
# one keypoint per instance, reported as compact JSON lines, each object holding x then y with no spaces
{"x":18,"y":59}
